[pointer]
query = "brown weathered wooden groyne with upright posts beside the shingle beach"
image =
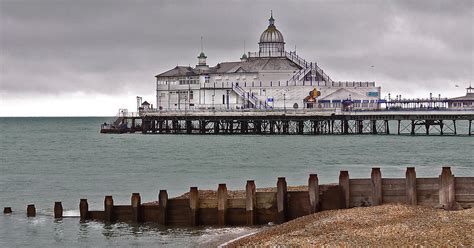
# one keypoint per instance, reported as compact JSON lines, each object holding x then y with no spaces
{"x":281,"y":205}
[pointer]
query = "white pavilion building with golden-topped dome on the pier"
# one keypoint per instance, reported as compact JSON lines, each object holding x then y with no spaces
{"x":268,"y":79}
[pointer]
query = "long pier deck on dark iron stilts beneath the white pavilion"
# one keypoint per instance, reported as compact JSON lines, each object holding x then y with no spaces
{"x":301,"y":122}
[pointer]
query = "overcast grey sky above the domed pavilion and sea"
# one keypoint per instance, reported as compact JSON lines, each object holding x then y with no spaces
{"x":90,"y":57}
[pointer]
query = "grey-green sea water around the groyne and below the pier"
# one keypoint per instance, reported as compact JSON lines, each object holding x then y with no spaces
{"x":43,"y":160}
